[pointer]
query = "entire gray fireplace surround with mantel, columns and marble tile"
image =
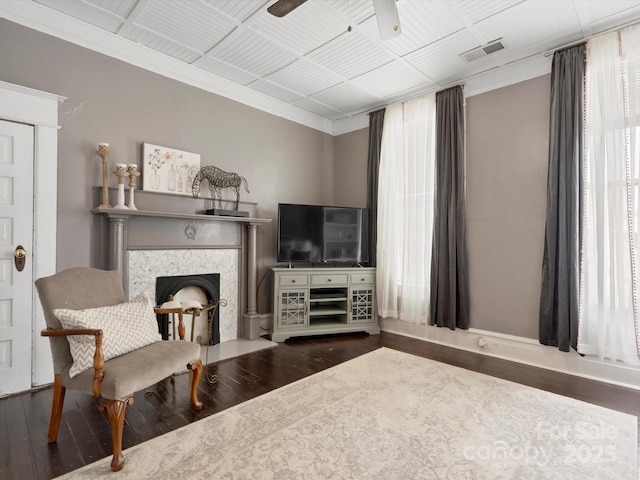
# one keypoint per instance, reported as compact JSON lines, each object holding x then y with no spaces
{"x":148,"y":243}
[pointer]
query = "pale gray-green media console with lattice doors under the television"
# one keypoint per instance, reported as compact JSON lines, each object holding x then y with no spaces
{"x":318,"y":301}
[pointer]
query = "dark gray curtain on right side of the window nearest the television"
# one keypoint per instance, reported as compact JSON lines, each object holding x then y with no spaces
{"x":449,"y":262}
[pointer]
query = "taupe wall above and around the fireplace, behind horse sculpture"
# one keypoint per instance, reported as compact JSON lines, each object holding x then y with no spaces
{"x":112,"y":101}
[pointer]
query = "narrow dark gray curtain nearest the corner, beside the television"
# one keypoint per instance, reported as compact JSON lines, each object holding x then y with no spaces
{"x":376,"y":120}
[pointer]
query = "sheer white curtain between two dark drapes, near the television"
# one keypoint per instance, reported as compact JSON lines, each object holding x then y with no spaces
{"x":405,"y":209}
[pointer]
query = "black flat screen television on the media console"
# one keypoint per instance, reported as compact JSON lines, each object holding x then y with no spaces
{"x":322,"y":234}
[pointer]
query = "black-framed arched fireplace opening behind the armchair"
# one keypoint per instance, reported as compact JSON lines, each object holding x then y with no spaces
{"x":204,"y":288}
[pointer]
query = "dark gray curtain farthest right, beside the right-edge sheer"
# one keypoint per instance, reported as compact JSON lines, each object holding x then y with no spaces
{"x":558,"y":322}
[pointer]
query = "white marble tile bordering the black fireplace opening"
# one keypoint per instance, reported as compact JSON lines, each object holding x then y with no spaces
{"x":146,"y":265}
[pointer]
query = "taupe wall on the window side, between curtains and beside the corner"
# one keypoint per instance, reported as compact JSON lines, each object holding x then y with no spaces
{"x":507,"y":142}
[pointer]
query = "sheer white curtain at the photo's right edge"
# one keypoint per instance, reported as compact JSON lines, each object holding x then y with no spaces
{"x":609,"y":326}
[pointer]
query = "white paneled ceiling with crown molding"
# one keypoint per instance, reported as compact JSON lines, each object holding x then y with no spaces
{"x":306,"y":66}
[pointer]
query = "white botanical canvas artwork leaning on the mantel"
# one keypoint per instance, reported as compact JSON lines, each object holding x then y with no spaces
{"x":168,"y":170}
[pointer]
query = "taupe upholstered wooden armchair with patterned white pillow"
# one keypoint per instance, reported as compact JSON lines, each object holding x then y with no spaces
{"x":107,"y":347}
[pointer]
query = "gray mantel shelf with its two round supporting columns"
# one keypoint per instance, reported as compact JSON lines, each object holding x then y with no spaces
{"x":118,"y":233}
